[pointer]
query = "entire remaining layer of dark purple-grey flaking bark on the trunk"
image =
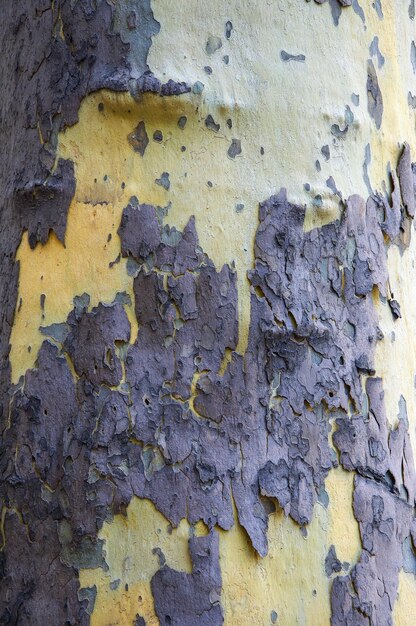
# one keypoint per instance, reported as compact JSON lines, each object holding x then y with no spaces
{"x":178,"y":416}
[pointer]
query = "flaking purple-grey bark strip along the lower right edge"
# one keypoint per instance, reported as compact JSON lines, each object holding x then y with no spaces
{"x":383,"y":507}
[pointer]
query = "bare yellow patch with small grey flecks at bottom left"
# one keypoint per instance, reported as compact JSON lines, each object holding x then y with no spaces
{"x":130,"y":542}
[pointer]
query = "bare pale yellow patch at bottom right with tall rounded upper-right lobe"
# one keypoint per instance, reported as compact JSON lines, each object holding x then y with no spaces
{"x":291,"y":579}
